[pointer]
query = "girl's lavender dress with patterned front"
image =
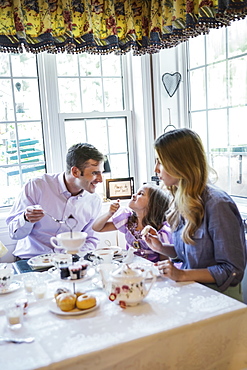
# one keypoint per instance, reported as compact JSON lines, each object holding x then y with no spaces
{"x":133,"y":237}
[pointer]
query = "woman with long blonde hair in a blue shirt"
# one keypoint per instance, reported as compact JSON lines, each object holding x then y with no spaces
{"x":208,"y":232}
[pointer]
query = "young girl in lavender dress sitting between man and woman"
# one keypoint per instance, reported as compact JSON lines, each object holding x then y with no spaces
{"x":147,"y":207}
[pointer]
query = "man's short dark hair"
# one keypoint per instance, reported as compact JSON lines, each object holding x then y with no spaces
{"x":79,"y":154}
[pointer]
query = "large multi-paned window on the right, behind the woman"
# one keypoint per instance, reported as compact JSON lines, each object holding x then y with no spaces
{"x":218,"y":101}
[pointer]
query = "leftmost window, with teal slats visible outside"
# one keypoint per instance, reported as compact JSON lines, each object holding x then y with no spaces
{"x":21,"y":139}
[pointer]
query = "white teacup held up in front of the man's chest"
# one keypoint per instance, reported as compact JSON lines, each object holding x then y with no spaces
{"x":70,"y":241}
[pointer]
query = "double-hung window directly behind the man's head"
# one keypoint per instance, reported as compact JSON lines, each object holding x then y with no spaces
{"x":91,"y":101}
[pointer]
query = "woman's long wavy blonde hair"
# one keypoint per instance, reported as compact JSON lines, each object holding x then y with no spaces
{"x":182,"y":155}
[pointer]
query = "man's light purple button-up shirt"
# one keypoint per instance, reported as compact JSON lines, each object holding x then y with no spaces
{"x":50,"y":192}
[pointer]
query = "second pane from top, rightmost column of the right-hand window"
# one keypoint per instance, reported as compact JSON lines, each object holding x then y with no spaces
{"x":238,"y":81}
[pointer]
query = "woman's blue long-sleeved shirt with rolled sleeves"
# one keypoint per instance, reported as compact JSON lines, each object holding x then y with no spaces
{"x":219,"y":242}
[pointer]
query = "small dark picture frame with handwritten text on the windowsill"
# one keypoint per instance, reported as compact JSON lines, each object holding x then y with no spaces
{"x":120,"y":188}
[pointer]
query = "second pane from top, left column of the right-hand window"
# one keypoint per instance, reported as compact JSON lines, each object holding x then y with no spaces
{"x":198,"y":89}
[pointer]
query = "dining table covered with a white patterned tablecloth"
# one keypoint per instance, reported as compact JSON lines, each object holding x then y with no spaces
{"x":176,"y":326}
